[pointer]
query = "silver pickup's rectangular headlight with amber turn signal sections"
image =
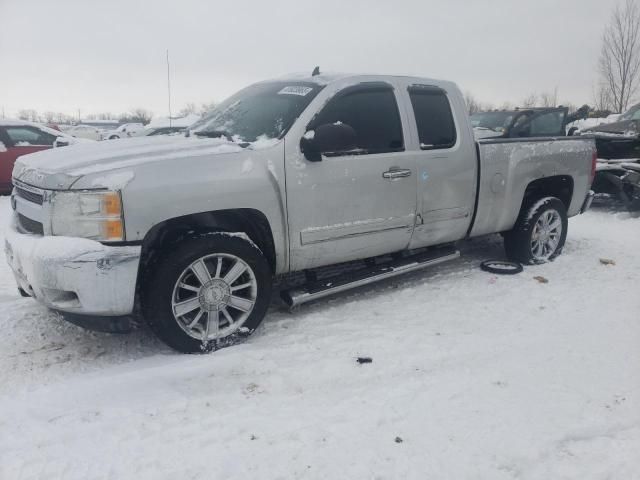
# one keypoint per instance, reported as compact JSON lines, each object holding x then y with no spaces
{"x":93,"y":215}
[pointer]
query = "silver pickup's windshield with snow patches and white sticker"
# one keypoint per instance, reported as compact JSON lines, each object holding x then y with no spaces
{"x":263,"y":110}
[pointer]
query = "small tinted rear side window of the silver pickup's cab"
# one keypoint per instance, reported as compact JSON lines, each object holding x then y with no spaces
{"x":436,"y":128}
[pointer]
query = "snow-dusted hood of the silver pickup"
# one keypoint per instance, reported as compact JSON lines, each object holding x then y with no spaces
{"x":60,"y":168}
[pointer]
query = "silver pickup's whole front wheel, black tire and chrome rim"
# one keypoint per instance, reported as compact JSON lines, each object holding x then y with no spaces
{"x":211,"y":291}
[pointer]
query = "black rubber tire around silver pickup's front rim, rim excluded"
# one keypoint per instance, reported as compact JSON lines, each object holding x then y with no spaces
{"x":158,"y":289}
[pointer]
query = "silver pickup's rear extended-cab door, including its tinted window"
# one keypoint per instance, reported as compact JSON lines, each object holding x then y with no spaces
{"x":446,"y":164}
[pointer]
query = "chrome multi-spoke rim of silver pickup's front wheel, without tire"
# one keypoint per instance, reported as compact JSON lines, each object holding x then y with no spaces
{"x":214,"y":296}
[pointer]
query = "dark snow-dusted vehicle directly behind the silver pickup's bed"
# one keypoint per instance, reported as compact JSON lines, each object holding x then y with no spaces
{"x":521,"y":123}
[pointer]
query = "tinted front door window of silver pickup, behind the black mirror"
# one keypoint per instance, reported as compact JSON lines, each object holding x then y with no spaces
{"x":372,"y":112}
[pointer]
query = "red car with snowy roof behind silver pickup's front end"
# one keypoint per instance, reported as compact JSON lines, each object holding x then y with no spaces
{"x":19,"y":138}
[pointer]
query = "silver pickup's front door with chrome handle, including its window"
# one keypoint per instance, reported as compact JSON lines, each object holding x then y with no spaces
{"x":357,"y":203}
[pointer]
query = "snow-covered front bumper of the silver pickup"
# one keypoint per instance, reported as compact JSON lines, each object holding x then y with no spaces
{"x":74,"y":275}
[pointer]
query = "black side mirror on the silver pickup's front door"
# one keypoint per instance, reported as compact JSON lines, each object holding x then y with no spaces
{"x":327,"y":138}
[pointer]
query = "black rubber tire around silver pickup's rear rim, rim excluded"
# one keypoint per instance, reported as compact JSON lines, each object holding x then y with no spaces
{"x":518,"y":241}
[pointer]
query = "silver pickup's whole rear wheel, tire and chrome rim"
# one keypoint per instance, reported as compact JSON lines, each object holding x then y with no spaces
{"x":539,"y":233}
